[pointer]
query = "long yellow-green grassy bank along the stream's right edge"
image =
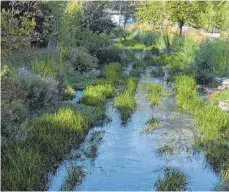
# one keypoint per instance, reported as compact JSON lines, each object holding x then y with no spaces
{"x":211,"y":123}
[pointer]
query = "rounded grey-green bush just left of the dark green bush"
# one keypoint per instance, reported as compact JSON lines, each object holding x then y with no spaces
{"x":82,"y":60}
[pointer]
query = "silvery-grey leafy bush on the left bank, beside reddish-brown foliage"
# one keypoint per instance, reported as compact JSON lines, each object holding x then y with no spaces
{"x":40,"y":90}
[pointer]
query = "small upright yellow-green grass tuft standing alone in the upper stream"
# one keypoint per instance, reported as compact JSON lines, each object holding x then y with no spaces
{"x":154,"y":93}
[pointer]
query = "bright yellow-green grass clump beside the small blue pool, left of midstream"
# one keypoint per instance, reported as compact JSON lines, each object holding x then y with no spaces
{"x":96,"y":95}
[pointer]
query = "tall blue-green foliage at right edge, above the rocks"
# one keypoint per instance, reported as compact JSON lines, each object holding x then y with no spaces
{"x":213,"y":58}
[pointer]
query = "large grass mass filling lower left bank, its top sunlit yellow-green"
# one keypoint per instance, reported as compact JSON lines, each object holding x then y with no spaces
{"x":46,"y":140}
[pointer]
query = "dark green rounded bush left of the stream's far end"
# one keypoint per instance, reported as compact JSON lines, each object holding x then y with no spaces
{"x":109,"y":54}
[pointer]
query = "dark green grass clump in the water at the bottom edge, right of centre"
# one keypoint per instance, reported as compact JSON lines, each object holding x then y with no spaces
{"x":173,"y":180}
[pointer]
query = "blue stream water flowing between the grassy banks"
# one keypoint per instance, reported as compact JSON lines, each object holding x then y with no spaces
{"x":128,"y":158}
